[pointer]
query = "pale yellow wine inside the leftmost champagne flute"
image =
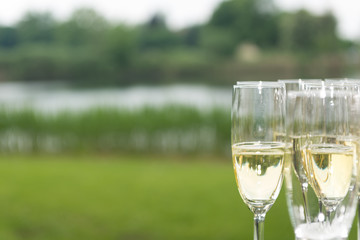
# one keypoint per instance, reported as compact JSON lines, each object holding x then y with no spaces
{"x":259,"y":171}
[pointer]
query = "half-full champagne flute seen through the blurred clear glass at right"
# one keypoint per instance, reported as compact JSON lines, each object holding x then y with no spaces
{"x":330,"y":161}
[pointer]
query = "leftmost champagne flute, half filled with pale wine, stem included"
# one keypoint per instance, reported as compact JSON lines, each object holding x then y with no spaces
{"x":258,"y":111}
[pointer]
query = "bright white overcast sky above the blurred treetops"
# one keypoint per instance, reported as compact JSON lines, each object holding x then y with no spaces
{"x":179,"y":13}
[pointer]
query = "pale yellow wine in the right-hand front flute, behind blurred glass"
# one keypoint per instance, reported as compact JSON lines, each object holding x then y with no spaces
{"x":331,"y":167}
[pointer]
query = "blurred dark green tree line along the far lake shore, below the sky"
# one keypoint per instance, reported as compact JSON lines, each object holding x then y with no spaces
{"x":243,"y":39}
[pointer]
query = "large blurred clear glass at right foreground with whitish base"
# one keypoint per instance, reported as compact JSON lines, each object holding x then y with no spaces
{"x":326,"y":151}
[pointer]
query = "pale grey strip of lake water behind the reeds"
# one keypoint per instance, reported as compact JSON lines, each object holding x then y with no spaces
{"x":50,"y":97}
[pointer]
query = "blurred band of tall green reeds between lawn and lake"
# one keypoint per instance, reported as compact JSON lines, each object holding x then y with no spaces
{"x":171,"y":129}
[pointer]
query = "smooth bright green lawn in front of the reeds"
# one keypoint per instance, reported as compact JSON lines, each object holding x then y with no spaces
{"x":127,"y":198}
